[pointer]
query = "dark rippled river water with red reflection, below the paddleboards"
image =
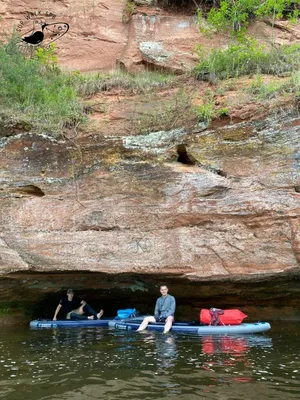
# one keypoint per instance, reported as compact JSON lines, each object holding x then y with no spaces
{"x":101,"y":363}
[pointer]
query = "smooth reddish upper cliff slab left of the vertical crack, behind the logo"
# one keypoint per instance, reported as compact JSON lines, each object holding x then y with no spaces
{"x":96,"y":37}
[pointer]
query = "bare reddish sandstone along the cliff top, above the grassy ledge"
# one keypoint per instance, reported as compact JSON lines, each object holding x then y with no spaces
{"x":105,"y":34}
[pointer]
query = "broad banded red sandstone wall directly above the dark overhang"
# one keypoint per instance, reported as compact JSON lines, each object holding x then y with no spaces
{"x":236,"y":211}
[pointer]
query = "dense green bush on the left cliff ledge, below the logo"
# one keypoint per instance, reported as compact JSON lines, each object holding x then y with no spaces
{"x":37,"y":92}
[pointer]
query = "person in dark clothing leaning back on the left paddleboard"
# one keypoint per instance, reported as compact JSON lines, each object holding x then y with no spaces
{"x":75,"y":308}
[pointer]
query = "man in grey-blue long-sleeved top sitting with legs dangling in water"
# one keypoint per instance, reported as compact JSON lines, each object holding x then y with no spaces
{"x":164,"y":311}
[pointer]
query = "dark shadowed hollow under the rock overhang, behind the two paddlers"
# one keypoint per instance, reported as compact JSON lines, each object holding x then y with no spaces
{"x":261,"y":298}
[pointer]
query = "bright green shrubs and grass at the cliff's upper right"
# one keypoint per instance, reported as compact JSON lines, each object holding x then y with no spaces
{"x":244,"y":55}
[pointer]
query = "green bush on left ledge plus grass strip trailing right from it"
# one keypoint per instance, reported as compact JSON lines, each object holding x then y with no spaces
{"x":36,"y":95}
